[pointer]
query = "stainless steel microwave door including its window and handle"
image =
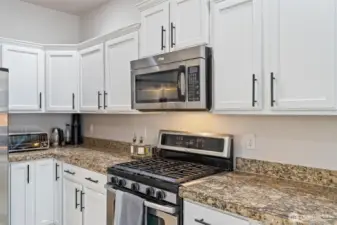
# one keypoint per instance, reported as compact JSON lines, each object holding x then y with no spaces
{"x":159,"y":88}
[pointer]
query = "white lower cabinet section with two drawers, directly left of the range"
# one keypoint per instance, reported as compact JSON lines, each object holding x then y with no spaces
{"x":84,"y":197}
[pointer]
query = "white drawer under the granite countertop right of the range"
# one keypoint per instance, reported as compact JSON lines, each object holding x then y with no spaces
{"x":195,"y":212}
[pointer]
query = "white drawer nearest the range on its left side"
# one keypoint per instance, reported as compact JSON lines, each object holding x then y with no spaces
{"x":94,"y":180}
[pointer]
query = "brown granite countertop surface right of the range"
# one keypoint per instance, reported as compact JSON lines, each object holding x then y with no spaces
{"x":266,"y":199}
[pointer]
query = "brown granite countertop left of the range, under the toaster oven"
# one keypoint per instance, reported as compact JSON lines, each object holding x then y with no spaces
{"x":97,"y":160}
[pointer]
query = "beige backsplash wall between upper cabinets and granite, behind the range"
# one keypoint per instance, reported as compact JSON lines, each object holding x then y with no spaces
{"x":304,"y":140}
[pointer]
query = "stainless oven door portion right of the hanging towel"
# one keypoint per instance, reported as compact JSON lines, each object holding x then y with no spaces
{"x":156,"y":214}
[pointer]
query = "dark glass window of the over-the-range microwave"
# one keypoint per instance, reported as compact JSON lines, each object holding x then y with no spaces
{"x":158,"y":87}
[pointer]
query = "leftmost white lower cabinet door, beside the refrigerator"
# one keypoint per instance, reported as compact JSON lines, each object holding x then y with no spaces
{"x":22,"y":204}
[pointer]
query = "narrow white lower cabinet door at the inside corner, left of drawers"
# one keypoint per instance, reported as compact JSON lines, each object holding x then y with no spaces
{"x":58,"y":197}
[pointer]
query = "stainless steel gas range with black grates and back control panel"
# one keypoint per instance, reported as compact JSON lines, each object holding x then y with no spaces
{"x":182,"y":157}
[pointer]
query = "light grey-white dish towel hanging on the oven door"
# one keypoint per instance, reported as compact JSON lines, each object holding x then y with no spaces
{"x":129,"y":209}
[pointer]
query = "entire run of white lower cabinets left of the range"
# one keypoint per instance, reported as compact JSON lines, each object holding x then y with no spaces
{"x":40,"y":194}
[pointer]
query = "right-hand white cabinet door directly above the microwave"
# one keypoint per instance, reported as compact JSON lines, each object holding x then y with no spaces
{"x":189,"y":23}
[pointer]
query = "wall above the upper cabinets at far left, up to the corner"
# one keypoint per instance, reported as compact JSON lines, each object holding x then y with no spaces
{"x":28,"y":22}
